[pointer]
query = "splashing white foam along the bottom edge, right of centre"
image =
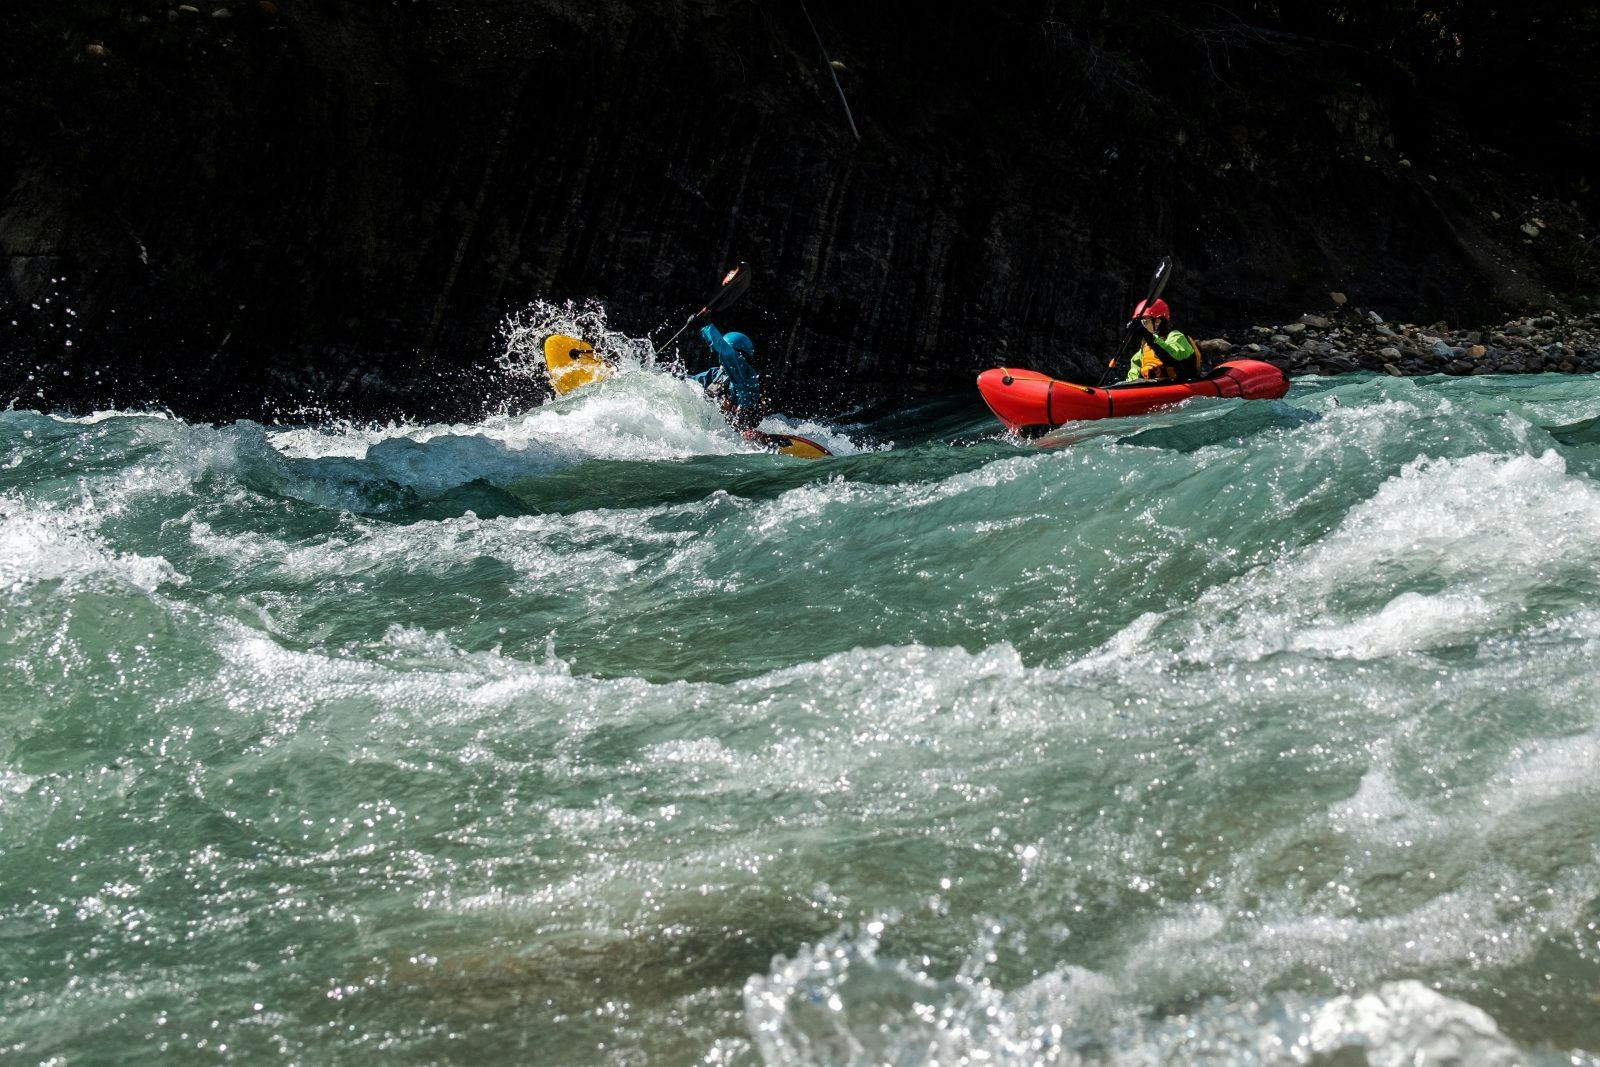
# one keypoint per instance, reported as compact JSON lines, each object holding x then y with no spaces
{"x":844,"y":1002}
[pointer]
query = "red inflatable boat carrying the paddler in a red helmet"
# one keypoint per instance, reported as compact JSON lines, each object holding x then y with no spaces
{"x":1030,"y":402}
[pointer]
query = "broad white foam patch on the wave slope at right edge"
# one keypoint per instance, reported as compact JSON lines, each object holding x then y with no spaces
{"x":1476,"y":538}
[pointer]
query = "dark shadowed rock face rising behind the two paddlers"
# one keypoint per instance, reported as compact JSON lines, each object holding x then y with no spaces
{"x":314,"y":202}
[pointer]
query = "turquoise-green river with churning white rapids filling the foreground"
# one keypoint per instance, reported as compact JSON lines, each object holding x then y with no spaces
{"x":1236,"y":733}
